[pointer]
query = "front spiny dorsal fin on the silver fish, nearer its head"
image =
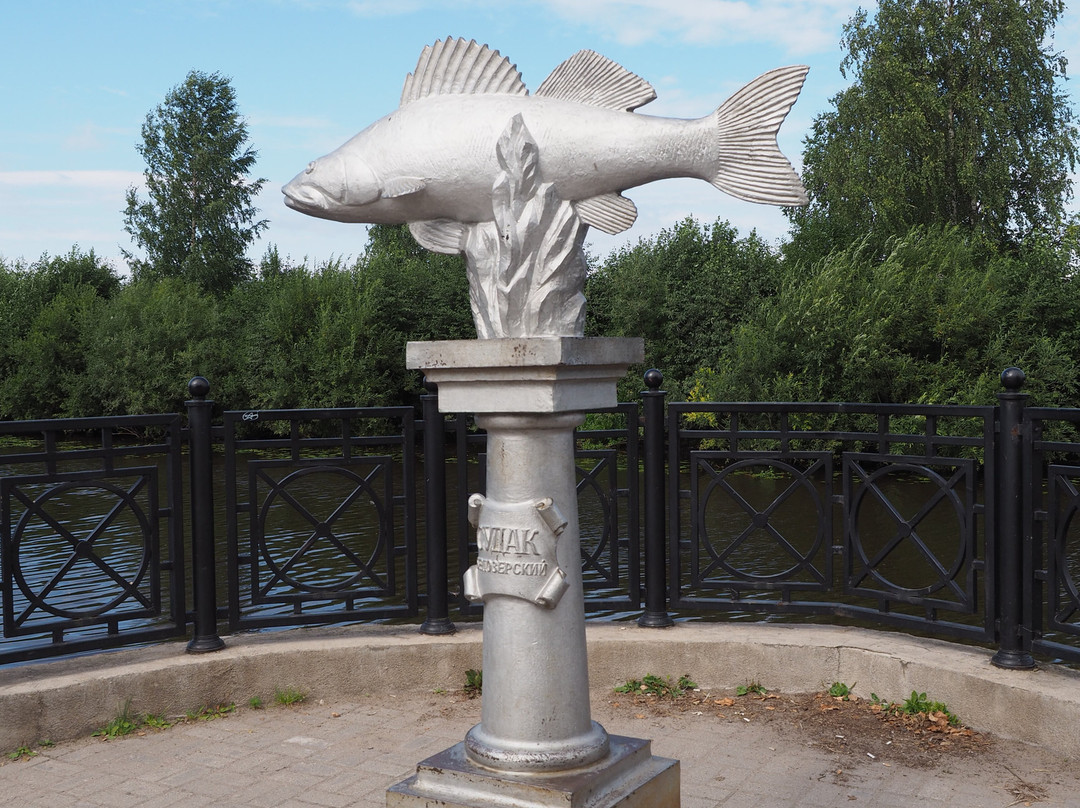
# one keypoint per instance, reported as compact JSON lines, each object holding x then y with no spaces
{"x":460,"y":68}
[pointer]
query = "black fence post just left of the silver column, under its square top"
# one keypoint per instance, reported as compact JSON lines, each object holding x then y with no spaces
{"x":435,"y":490}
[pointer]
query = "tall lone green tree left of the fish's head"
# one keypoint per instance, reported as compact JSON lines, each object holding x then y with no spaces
{"x":200,"y":218}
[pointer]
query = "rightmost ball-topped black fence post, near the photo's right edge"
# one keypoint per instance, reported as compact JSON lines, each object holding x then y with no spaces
{"x":1009,"y":546}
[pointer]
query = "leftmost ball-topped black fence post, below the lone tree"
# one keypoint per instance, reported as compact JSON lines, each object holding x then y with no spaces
{"x":204,"y":585}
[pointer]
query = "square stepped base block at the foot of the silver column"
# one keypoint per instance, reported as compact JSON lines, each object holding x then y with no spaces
{"x":630,"y":777}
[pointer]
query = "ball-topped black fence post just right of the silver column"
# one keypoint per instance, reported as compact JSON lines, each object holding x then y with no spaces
{"x":656,"y":576}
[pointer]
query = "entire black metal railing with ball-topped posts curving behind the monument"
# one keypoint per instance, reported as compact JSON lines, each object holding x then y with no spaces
{"x":956,"y":522}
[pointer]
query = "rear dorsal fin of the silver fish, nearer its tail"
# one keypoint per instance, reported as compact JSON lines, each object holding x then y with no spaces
{"x":589,"y":78}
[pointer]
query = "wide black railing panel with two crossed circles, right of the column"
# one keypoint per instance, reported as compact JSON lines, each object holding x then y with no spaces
{"x":829,"y":536}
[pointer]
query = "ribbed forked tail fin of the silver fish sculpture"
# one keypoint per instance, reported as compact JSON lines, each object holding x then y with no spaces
{"x":751,"y":165}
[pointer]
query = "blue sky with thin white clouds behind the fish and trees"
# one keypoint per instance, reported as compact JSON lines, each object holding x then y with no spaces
{"x":77,"y":80}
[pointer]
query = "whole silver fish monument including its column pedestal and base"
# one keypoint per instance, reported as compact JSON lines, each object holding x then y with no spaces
{"x":477,"y":166}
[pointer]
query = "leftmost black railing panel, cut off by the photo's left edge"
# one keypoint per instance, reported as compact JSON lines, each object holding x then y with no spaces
{"x":115,"y":575}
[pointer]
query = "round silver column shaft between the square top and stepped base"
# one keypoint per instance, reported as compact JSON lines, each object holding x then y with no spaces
{"x":536,"y":712}
